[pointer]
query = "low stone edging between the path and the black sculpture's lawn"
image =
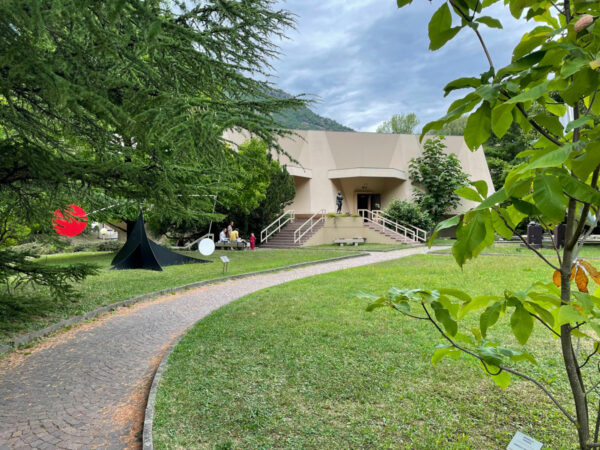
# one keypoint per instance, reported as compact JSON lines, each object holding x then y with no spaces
{"x":46,"y":331}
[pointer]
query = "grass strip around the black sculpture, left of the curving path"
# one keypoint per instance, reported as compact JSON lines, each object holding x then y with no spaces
{"x":110,"y":286}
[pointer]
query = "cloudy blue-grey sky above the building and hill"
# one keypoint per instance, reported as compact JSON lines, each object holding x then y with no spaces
{"x":365,"y":60}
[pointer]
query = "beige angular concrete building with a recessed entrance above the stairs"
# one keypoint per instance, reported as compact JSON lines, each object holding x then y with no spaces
{"x":369,"y":169}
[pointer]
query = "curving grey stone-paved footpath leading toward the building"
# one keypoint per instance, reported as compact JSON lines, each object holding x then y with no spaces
{"x":87,"y":387}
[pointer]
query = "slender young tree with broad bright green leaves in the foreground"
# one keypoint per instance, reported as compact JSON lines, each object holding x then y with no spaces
{"x":556,"y":65}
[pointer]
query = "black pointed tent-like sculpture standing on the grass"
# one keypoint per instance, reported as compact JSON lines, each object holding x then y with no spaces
{"x":139,"y":252}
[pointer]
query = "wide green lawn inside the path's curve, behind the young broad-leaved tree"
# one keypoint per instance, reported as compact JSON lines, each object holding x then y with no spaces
{"x":302,"y":365}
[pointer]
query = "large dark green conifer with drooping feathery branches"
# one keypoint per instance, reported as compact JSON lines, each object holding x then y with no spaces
{"x":126,"y":101}
